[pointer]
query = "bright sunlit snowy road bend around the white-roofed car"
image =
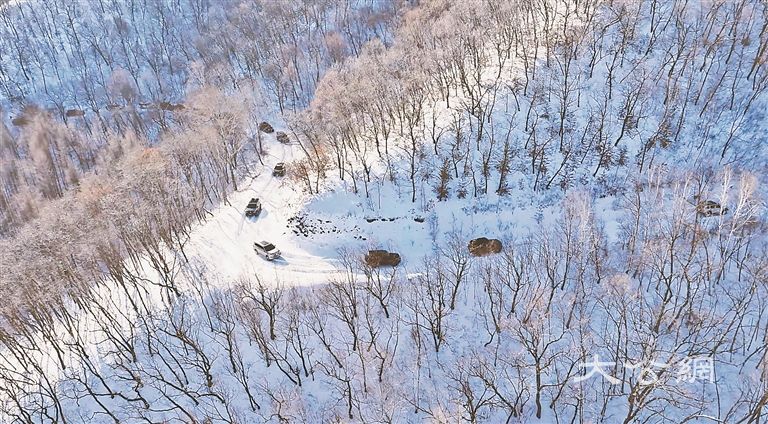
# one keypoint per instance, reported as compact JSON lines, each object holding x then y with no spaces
{"x":224,"y":243}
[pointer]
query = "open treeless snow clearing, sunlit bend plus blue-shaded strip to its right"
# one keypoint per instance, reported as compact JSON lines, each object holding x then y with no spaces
{"x":310,"y":231}
